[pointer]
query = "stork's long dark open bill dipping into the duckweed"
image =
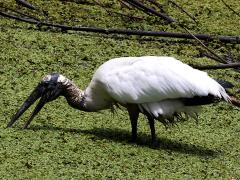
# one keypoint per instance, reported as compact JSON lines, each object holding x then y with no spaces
{"x":37,"y":93}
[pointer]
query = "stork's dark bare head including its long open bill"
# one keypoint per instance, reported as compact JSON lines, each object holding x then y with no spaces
{"x":49,"y":89}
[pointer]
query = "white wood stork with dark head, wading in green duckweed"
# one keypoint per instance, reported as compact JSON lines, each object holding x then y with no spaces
{"x":161,"y":88}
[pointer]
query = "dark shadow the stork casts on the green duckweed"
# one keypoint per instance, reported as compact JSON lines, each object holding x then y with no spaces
{"x":122,"y":136}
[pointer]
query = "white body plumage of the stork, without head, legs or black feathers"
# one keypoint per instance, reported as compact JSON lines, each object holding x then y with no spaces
{"x":154,"y":83}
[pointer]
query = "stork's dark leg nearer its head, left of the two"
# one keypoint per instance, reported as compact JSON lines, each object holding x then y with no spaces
{"x":133,"y":112}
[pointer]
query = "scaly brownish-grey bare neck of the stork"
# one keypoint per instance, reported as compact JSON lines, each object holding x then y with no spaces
{"x":74,"y":96}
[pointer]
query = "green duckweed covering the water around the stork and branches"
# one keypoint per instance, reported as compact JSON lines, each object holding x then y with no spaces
{"x":65,"y":143}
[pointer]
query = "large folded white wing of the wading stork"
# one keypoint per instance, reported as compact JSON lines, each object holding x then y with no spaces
{"x":153,"y":79}
